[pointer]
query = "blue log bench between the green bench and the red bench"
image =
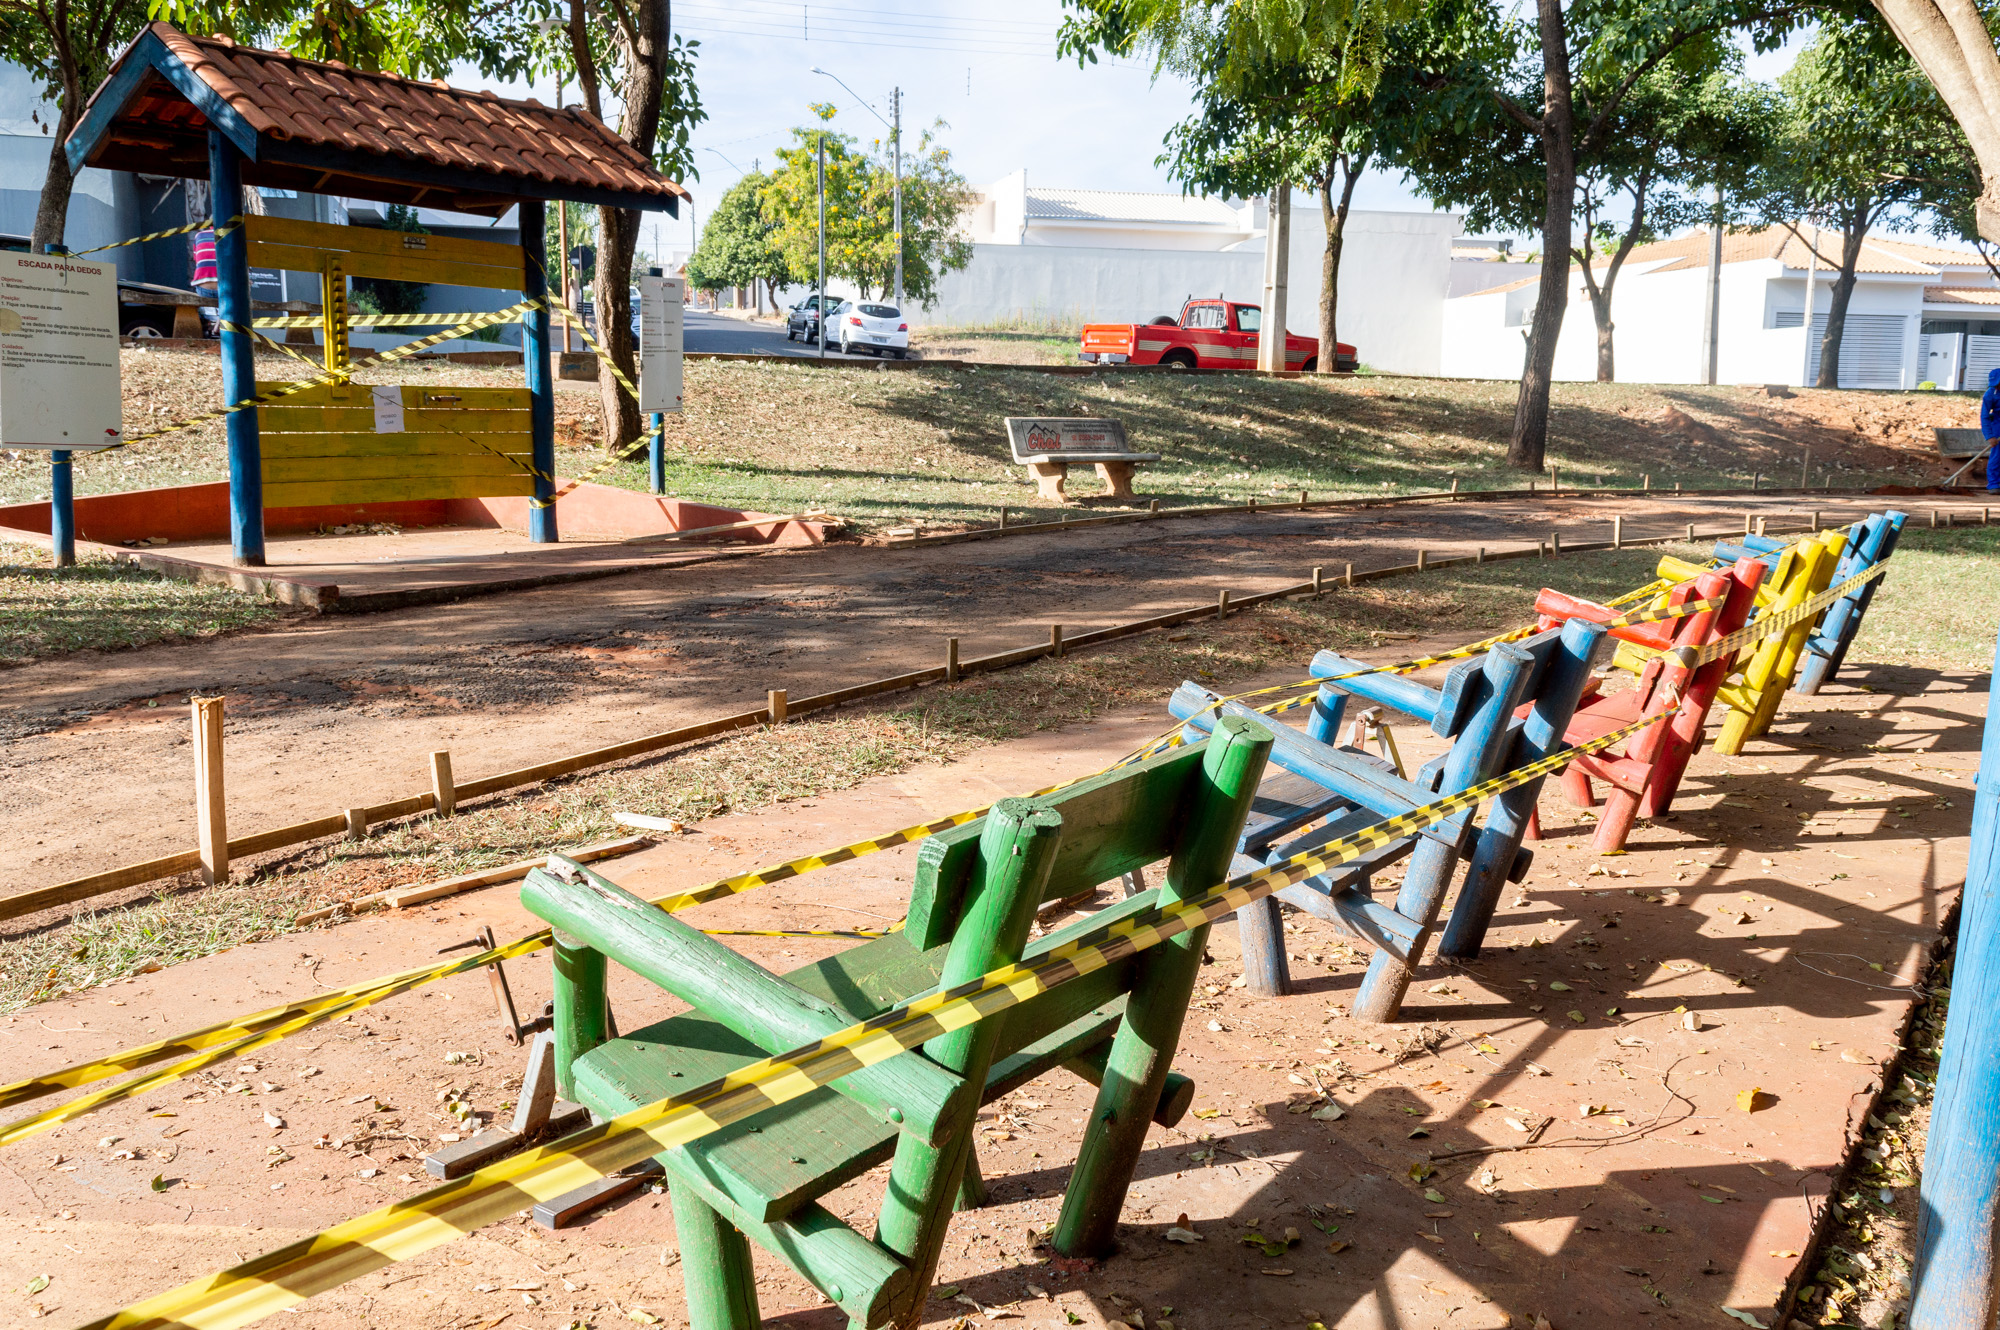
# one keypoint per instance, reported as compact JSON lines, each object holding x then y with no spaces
{"x":1501,"y":709}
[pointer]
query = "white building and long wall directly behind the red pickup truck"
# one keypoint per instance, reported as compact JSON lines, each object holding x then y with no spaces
{"x":1049,"y":255}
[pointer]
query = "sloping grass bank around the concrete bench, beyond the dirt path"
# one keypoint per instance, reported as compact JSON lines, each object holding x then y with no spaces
{"x":929,"y":447}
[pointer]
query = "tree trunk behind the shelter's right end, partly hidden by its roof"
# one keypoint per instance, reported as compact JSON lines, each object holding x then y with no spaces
{"x":645,"y":85}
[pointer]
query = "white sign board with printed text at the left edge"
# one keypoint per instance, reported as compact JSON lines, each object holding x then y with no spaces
{"x":59,"y":353}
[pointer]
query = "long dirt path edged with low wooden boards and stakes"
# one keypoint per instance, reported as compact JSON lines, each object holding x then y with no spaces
{"x":341,"y":711}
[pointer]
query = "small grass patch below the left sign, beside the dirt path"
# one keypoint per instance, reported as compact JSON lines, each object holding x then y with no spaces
{"x":105,"y":605}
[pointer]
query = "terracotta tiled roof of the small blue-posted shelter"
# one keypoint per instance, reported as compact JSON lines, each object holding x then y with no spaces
{"x":419,"y":123}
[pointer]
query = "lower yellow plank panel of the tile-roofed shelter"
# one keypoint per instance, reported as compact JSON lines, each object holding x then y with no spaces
{"x":321,"y":447}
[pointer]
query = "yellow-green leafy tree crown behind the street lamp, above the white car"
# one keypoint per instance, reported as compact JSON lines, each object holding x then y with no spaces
{"x":861,"y":231}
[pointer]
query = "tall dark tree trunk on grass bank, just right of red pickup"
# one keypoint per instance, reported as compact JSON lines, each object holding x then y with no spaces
{"x":1559,"y":173}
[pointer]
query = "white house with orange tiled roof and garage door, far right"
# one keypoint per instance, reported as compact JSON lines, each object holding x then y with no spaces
{"x":1919,"y":315}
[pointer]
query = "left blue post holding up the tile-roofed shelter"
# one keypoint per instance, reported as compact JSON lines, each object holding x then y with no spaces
{"x":239,"y":357}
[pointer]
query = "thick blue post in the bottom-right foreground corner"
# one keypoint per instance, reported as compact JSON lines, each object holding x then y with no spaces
{"x":1961,"y":1191}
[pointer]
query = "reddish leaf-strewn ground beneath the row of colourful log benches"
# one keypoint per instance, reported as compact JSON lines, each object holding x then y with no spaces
{"x":1789,"y":903}
